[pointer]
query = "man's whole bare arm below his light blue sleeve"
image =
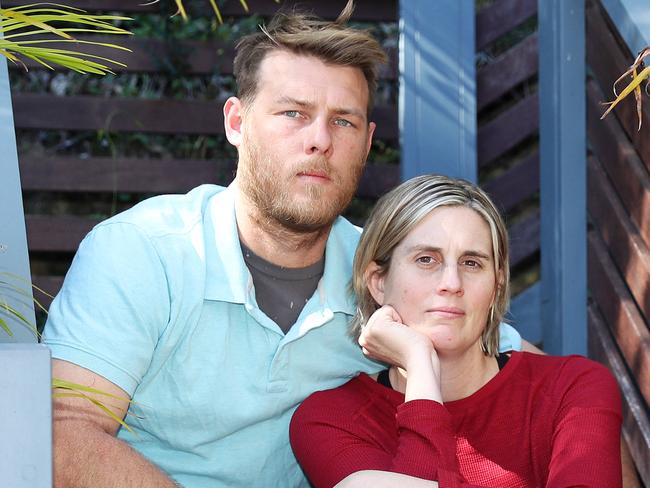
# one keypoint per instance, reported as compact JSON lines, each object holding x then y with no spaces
{"x":86,"y":451}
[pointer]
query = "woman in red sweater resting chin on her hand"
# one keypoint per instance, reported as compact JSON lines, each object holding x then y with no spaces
{"x":432,"y":283}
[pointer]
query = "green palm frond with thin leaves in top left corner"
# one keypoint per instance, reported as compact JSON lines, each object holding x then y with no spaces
{"x":44,"y":19}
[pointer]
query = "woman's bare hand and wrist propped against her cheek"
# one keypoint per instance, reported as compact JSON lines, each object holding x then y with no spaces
{"x":387,"y":339}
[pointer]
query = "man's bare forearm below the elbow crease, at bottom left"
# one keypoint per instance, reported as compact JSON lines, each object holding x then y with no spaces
{"x":85,"y":457}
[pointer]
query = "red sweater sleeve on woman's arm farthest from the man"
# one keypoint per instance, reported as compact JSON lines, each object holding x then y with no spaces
{"x":586,"y":433}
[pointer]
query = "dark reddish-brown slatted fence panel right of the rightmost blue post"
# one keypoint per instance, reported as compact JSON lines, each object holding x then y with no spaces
{"x":619,"y":235}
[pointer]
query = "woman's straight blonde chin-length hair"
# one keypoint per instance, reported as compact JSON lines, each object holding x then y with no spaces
{"x":400,"y":211}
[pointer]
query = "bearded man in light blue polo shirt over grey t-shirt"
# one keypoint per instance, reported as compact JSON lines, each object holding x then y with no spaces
{"x":219,"y":311}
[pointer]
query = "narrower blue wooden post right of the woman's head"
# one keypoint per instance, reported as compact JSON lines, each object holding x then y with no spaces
{"x":563,"y":175}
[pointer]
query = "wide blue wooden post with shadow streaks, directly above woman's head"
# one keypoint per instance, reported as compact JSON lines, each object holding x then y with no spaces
{"x":437,"y":109}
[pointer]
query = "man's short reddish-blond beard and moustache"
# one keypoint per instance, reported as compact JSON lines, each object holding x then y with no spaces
{"x":263,"y":181}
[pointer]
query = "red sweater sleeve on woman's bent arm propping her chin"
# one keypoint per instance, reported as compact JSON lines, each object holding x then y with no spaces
{"x":333,"y":442}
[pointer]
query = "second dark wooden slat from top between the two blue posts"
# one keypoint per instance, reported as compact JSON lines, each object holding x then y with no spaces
{"x":509,"y":70}
